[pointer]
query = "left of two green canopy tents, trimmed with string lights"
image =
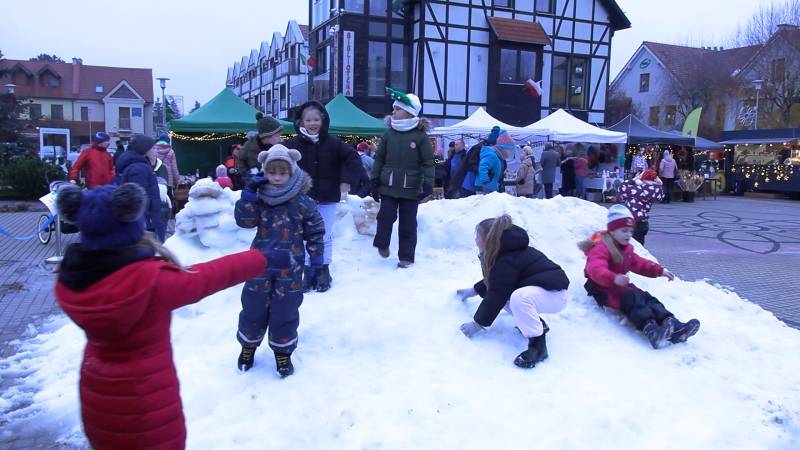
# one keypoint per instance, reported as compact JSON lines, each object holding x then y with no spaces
{"x":201,"y":140}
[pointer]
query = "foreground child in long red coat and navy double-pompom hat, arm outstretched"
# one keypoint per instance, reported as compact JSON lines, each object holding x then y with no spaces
{"x":122,"y":295}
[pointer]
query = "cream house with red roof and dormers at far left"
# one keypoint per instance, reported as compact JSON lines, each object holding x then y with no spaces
{"x":81,"y":98}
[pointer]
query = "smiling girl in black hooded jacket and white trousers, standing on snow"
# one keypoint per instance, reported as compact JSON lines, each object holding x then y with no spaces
{"x":334,"y":167}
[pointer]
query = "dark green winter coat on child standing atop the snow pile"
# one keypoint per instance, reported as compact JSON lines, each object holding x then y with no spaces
{"x":404,"y":162}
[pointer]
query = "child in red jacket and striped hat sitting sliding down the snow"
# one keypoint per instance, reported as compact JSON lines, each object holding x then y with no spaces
{"x":610,"y":258}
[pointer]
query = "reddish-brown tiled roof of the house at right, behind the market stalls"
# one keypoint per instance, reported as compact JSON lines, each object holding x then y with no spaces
{"x":684,"y":62}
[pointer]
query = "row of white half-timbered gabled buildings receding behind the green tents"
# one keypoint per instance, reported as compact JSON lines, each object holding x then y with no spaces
{"x":274,"y":78}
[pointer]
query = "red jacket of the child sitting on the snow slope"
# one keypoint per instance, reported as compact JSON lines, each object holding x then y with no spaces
{"x":601,"y":269}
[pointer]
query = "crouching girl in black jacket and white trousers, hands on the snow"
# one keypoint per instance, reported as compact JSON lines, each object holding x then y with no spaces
{"x":519,"y":278}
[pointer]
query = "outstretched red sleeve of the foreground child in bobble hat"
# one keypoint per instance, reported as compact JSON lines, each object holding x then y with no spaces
{"x":177,"y":288}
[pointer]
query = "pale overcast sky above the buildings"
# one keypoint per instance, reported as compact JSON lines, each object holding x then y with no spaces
{"x":194,"y":43}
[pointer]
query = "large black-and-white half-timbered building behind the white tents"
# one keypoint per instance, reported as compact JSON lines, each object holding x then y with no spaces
{"x":459,"y":55}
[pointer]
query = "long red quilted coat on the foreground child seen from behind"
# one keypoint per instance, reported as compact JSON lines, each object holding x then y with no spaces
{"x":129,"y":388}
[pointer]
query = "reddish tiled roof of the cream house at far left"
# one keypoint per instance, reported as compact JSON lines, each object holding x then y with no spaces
{"x":79,"y":81}
